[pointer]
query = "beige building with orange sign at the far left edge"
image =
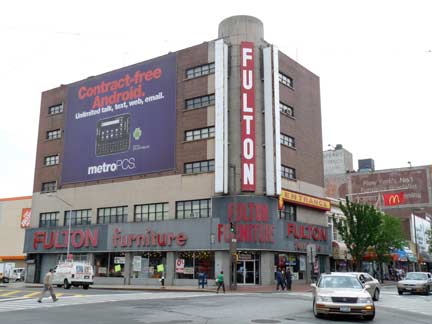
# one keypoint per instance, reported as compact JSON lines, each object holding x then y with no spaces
{"x":15,"y":215}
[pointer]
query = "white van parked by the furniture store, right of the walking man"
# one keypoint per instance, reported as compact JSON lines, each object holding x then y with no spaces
{"x":75,"y":274}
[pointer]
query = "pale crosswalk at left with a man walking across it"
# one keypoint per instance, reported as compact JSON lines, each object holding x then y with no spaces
{"x":23,"y":303}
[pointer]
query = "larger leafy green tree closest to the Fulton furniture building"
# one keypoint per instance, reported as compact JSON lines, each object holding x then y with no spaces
{"x":360,"y":228}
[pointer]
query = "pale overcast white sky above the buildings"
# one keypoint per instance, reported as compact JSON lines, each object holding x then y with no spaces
{"x":374,"y":60}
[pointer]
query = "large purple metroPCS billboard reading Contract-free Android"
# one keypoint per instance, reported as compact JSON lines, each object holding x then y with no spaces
{"x":121,"y":123}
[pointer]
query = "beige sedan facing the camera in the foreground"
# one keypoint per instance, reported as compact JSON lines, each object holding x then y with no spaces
{"x":342,"y":294}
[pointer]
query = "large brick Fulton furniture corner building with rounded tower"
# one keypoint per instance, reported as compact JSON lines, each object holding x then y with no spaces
{"x":154,"y":164}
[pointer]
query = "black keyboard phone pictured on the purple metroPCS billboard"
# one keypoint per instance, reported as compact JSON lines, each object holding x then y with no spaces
{"x":113,"y":135}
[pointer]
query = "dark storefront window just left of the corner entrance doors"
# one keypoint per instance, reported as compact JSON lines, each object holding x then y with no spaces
{"x":195,"y":263}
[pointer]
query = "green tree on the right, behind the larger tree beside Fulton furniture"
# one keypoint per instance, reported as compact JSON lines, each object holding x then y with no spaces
{"x":389,"y":236}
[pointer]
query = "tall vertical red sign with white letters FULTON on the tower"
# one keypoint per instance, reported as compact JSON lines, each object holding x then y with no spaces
{"x":247,"y":116}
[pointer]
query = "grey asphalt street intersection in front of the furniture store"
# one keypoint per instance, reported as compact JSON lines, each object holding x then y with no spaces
{"x":104,"y":306}
